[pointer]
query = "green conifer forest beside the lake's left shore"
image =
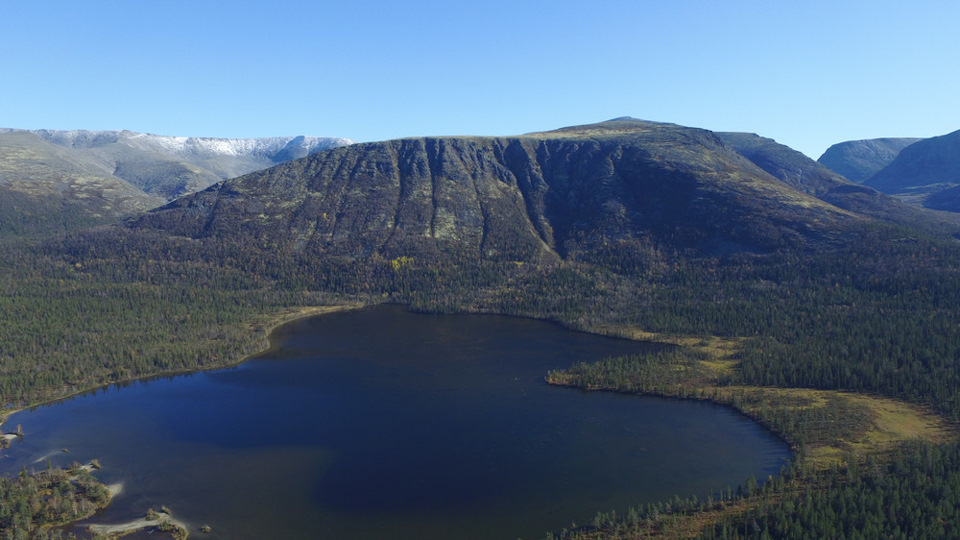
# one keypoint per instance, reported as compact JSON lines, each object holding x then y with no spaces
{"x":74,"y":322}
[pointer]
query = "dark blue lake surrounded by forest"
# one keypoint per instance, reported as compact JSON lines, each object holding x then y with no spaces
{"x":382,"y":423}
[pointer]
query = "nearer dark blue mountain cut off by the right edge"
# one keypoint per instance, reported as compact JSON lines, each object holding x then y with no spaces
{"x":926,"y":173}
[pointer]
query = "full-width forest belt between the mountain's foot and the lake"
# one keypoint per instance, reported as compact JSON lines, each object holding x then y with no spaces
{"x":877,"y":313}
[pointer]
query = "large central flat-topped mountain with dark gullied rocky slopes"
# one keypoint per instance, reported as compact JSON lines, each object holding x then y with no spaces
{"x":625,"y":185}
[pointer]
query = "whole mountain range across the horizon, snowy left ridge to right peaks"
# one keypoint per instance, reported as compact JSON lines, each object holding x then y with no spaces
{"x":413,"y":191}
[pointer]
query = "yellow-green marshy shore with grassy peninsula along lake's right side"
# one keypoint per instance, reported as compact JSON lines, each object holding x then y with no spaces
{"x":884,"y":426}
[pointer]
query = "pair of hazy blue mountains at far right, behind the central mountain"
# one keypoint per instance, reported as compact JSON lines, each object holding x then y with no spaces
{"x":923,"y":172}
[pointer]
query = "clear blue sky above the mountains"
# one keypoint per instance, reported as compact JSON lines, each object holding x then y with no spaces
{"x":806,"y":73}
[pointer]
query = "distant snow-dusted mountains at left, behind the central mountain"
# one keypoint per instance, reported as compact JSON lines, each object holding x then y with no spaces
{"x":58,"y":180}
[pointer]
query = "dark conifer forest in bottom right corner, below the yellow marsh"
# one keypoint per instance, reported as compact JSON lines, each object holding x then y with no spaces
{"x":914,"y":492}
